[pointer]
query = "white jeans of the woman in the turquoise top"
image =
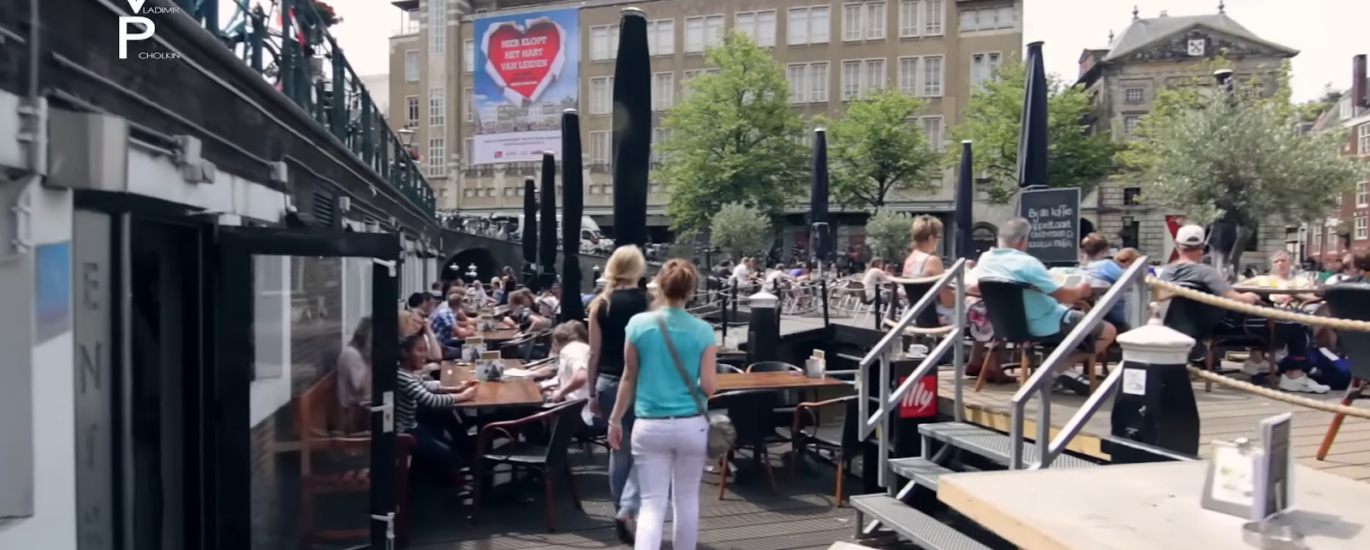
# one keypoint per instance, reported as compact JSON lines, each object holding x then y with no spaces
{"x":671,"y":457}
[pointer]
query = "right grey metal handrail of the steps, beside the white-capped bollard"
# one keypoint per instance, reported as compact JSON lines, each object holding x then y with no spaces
{"x":1135,"y":282}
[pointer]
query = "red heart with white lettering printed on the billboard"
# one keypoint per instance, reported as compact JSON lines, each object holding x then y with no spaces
{"x":524,"y":57}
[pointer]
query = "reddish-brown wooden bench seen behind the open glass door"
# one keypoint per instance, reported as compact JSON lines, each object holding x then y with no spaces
{"x":324,"y":431}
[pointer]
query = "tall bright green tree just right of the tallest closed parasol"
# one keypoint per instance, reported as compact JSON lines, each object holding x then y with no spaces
{"x":732,"y":139}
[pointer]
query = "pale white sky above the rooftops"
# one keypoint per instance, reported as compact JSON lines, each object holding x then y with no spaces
{"x":1323,"y":31}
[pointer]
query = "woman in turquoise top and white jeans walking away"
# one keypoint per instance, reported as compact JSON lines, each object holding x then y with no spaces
{"x":671,"y":435}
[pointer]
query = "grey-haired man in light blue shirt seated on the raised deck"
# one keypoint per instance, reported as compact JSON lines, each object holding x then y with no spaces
{"x":1046,"y":301}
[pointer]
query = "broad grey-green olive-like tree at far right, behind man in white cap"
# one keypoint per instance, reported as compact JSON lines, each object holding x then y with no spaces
{"x":1238,"y":157}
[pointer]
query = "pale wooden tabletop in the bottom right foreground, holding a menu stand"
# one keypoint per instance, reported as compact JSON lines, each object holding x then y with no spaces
{"x":1145,"y":507}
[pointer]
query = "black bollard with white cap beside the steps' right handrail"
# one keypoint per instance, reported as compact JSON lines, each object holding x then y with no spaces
{"x":1156,"y":405}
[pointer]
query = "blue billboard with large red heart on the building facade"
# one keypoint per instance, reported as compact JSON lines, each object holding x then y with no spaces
{"x":525,"y":75}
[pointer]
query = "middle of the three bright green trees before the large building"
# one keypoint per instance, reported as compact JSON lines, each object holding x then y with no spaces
{"x":879,"y":150}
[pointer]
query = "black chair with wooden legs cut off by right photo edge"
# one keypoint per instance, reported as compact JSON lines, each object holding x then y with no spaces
{"x":1349,"y":302}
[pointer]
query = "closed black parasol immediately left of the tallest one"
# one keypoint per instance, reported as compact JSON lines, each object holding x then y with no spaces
{"x":573,"y":208}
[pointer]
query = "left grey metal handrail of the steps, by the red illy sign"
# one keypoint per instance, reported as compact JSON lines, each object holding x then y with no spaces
{"x":883,"y":352}
